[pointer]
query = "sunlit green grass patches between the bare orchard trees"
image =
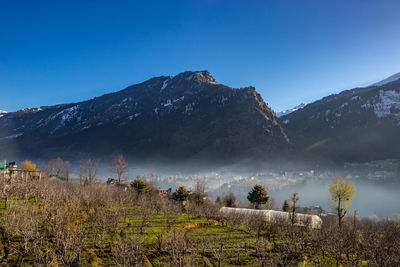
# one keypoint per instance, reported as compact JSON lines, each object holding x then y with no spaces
{"x":237,"y":244}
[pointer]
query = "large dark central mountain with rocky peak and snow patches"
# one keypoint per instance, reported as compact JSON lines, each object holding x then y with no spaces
{"x":189,"y":116}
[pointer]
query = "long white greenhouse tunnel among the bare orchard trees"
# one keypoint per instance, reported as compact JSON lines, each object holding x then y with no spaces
{"x":313,"y":221}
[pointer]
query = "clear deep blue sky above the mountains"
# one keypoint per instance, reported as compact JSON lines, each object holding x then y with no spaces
{"x":291,"y":51}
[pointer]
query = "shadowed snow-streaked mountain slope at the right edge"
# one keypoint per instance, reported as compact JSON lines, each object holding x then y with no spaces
{"x":361,"y":124}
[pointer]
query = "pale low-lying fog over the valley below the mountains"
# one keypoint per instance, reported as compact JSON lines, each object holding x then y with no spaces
{"x":376,"y":189}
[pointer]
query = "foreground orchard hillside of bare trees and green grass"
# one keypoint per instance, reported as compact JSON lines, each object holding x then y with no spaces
{"x":62,"y":223}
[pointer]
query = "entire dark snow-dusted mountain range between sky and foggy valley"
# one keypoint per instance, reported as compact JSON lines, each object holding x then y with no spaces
{"x":192,"y":116}
